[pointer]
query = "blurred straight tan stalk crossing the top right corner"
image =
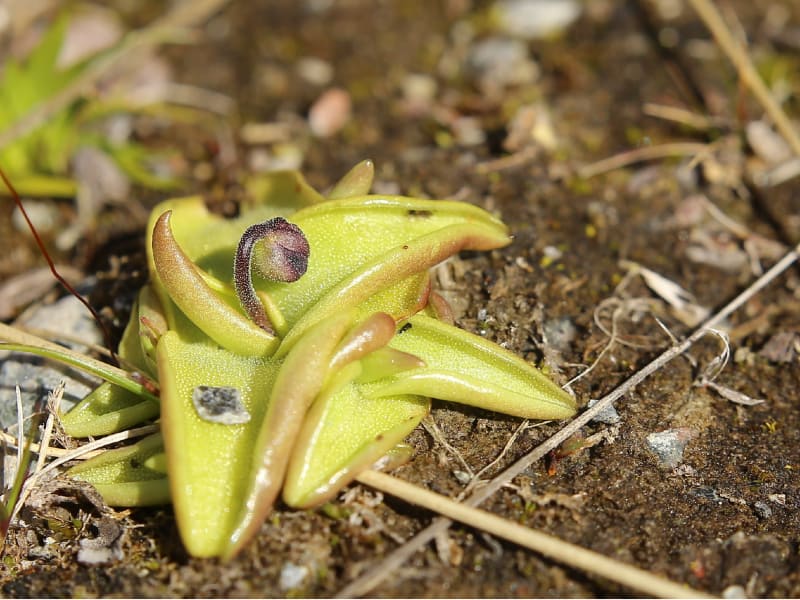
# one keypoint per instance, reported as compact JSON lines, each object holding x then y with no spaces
{"x":747,"y":71}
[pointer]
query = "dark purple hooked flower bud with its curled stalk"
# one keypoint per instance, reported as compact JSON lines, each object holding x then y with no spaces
{"x":279,"y":251}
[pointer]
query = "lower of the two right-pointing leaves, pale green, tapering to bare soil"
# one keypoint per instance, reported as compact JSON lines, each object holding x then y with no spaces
{"x":466,"y":368}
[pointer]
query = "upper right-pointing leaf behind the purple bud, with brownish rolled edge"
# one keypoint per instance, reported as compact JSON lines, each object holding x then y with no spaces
{"x":359,"y":245}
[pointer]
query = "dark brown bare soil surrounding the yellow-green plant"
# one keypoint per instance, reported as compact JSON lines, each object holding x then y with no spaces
{"x":727,"y":513}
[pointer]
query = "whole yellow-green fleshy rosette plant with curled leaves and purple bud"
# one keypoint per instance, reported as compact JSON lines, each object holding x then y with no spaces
{"x":290,"y":356}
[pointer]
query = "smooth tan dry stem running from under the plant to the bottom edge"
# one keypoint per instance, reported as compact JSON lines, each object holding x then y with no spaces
{"x":587,"y":560}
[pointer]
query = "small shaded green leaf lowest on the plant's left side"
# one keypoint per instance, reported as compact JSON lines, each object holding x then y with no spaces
{"x":129,"y":476}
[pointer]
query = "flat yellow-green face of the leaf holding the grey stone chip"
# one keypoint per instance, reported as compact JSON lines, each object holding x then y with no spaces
{"x":209,"y":463}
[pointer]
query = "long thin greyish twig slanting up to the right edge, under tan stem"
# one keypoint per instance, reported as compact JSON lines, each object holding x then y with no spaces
{"x":391,"y":563}
